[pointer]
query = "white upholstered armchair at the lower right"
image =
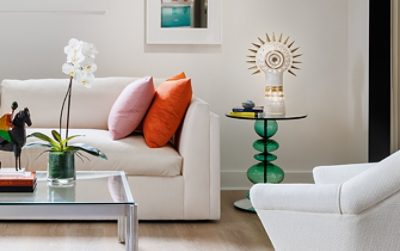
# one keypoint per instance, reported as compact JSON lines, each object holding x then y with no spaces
{"x":350,"y":208}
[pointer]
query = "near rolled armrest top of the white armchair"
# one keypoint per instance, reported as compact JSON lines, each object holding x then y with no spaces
{"x":296,"y":197}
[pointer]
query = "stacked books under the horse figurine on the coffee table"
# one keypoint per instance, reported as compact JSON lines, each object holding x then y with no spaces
{"x":13,"y":181}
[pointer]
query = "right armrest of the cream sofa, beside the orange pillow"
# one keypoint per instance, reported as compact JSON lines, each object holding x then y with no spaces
{"x":198,"y":144}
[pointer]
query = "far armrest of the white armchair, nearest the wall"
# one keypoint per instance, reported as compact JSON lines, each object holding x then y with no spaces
{"x":338,"y":174}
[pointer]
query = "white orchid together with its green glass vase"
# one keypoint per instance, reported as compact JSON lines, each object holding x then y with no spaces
{"x":79,"y":67}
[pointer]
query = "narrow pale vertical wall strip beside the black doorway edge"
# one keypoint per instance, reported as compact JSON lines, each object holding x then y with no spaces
{"x":357,"y":88}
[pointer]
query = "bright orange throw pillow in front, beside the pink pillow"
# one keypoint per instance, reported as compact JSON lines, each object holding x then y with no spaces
{"x":171,"y":100}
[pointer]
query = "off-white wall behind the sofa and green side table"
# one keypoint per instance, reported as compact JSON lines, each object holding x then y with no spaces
{"x":331,"y":87}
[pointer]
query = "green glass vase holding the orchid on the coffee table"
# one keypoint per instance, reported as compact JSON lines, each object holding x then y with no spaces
{"x":61,"y":168}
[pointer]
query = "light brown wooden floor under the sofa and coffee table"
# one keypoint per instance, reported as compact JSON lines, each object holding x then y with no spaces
{"x":236,"y":230}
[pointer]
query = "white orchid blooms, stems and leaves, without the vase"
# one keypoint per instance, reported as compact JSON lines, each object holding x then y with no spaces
{"x":80,"y":68}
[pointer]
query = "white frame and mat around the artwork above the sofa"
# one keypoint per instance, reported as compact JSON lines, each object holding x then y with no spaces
{"x":155,"y":34}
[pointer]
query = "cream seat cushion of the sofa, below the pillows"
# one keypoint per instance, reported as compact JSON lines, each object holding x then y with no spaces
{"x":130,"y":154}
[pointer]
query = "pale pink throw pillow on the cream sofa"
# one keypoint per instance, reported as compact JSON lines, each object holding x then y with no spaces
{"x":130,"y":107}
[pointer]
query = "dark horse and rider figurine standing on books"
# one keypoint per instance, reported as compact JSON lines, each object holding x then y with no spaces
{"x":13,"y":133}
